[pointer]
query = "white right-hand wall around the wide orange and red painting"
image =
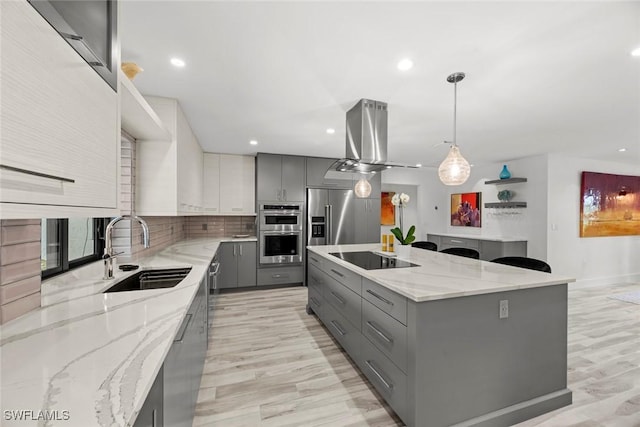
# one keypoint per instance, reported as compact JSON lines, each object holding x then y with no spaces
{"x":590,"y":259}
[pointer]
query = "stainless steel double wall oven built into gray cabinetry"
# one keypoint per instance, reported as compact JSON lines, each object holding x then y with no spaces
{"x":281,"y":233}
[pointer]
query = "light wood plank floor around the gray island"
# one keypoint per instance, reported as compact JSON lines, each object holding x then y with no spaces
{"x":271,"y":364}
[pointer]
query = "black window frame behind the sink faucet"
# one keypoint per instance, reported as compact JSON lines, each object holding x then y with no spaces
{"x":64,"y":264}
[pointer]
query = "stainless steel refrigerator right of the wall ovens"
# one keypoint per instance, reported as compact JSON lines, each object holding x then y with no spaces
{"x":330,"y":217}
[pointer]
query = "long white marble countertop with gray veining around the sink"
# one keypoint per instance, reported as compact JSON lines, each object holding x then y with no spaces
{"x":96,"y":355}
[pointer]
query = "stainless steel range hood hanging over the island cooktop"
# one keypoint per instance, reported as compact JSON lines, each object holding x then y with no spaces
{"x":366,"y":140}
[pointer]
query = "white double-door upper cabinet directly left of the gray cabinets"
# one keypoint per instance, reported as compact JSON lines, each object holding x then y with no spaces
{"x":229,"y":184}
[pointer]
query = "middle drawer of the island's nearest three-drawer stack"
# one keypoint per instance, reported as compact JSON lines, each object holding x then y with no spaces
{"x":386,"y":333}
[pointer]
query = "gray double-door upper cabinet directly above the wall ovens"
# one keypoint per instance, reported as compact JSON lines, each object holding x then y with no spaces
{"x":280,"y":178}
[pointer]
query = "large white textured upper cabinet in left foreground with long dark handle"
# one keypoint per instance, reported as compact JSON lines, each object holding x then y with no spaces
{"x":60,"y":139}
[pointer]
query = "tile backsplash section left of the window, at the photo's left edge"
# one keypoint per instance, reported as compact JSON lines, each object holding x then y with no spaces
{"x":19,"y":267}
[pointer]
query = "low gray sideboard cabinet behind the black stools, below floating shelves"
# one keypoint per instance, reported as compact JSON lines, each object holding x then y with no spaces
{"x":487,"y":247}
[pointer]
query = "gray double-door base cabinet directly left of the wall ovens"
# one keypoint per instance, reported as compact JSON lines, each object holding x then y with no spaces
{"x":238,"y":264}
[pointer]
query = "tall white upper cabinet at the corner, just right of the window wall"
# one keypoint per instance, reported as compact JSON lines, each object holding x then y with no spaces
{"x":169,"y":173}
